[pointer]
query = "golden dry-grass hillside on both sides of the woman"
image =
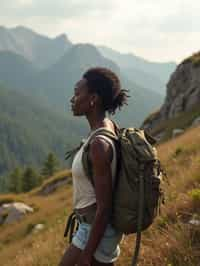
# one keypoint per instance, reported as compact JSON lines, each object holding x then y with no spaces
{"x":171,"y":241}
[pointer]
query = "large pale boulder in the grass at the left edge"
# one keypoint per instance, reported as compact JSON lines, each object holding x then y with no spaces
{"x":12,"y":212}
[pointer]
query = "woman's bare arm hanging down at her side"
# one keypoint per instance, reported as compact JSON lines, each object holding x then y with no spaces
{"x":100,"y":154}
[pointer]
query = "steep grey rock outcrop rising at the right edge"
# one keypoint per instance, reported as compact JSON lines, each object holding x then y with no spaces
{"x":183,"y":92}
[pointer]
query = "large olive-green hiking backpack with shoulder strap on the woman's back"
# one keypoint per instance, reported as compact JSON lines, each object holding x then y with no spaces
{"x":137,"y":192}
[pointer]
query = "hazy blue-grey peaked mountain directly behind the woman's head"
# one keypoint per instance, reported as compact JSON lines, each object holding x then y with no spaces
{"x":56,"y":84}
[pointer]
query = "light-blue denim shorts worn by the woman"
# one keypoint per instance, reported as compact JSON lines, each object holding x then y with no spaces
{"x":108,"y":249}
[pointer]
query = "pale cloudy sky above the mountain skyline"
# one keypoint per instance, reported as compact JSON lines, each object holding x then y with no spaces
{"x":157,"y":30}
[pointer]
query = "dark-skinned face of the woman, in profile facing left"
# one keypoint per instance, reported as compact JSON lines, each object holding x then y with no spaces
{"x":80,"y":102}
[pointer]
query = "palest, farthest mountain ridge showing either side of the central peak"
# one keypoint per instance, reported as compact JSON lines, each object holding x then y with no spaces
{"x":43,"y":60}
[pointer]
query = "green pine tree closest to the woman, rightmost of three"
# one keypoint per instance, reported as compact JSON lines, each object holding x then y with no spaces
{"x":50,"y":165}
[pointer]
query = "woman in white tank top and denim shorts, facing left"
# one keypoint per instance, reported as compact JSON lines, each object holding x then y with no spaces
{"x":96,"y":242}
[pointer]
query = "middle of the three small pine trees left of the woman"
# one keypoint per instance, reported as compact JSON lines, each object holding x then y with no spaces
{"x":30,"y":179}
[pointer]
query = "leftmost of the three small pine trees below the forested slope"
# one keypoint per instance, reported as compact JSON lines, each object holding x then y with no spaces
{"x":15,"y":181}
